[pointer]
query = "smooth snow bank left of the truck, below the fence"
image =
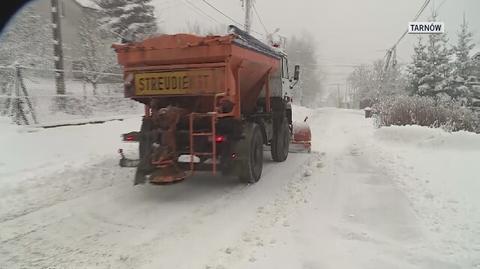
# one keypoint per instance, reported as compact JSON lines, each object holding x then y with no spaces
{"x":27,"y":152}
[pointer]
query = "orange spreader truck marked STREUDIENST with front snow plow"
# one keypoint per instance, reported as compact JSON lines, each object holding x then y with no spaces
{"x":211,"y":104}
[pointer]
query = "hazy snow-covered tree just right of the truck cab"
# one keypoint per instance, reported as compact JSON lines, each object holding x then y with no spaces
{"x":302,"y":51}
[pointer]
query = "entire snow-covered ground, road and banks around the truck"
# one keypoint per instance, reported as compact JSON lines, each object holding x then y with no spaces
{"x":398,"y":197}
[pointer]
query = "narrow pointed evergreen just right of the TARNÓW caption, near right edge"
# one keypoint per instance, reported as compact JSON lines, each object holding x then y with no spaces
{"x":463,"y":66}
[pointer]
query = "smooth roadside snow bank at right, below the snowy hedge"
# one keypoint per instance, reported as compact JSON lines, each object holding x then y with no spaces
{"x":438,"y":171}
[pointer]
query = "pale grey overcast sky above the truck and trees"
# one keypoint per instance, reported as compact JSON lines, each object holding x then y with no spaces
{"x":346,"y":31}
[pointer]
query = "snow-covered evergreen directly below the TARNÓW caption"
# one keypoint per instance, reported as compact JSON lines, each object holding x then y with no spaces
{"x":438,"y":68}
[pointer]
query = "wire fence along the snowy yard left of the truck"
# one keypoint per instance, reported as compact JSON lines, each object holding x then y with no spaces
{"x":28,"y":96}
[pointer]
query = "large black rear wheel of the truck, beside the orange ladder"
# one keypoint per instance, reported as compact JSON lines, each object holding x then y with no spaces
{"x":250,"y":168}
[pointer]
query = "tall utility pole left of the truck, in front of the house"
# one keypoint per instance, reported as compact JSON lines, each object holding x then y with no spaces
{"x":58,"y":48}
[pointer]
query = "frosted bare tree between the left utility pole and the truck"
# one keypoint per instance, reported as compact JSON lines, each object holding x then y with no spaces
{"x":98,"y":57}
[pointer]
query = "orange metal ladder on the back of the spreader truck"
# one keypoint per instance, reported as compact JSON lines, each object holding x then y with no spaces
{"x":212,"y":134}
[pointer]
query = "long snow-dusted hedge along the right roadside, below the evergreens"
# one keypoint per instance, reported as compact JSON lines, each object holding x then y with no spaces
{"x":425,"y":111}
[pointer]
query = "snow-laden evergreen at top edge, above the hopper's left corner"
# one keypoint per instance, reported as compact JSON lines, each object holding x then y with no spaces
{"x":131,"y":19}
